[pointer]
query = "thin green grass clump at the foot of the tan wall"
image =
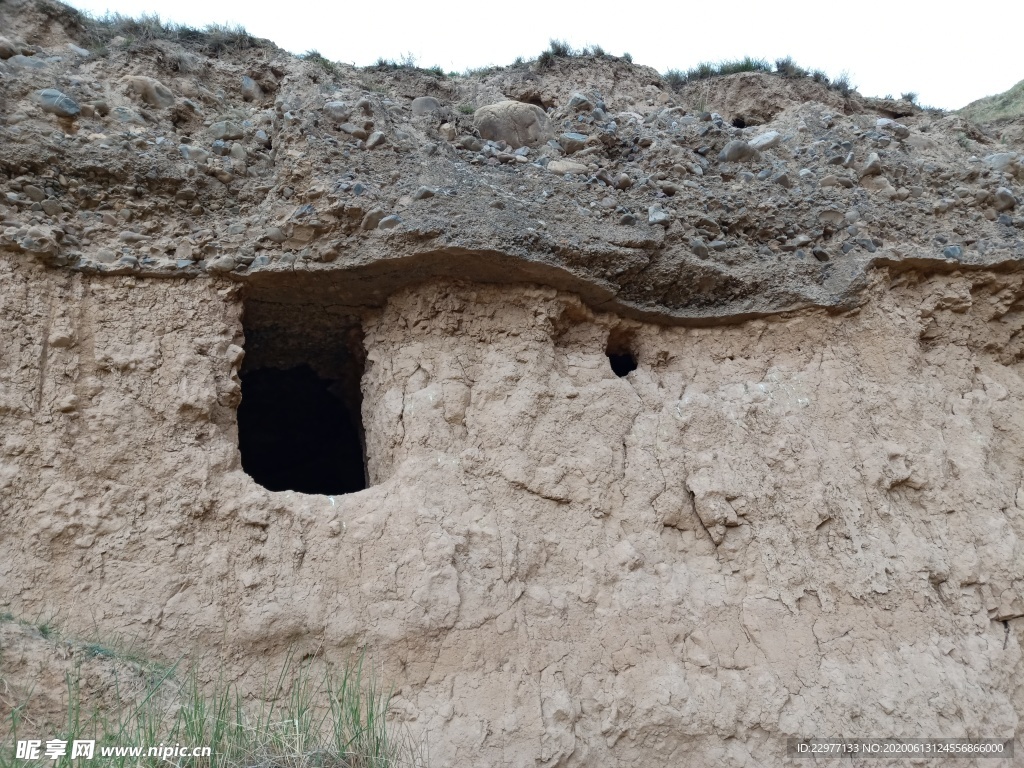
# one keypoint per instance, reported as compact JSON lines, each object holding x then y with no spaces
{"x":304,"y":719}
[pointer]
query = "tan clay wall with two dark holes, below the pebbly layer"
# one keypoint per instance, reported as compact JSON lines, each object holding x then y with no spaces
{"x":806,"y":525}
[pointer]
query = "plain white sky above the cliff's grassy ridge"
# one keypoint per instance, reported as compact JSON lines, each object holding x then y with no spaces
{"x":949,"y":54}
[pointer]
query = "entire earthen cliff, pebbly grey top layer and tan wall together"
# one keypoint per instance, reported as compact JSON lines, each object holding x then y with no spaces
{"x":802,"y":514}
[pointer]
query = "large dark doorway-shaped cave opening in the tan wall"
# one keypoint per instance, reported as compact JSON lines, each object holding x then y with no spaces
{"x":301,"y":424}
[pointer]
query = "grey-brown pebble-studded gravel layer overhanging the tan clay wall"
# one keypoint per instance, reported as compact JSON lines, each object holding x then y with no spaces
{"x":177,"y":157}
